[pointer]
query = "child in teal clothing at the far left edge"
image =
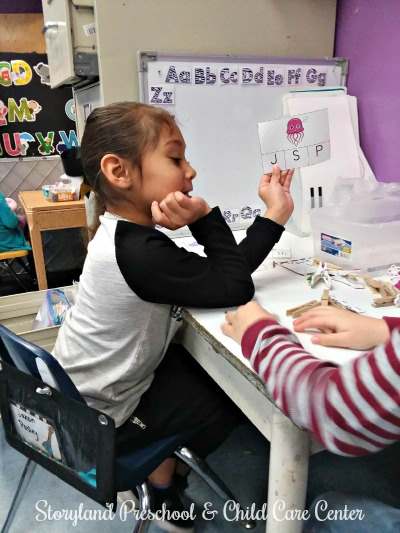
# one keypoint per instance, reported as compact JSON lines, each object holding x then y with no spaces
{"x":11,"y":234}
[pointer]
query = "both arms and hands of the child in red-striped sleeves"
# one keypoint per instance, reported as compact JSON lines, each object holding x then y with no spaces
{"x":316,"y":397}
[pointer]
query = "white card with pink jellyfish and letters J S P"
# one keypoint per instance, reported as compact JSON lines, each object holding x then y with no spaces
{"x":294,"y":142}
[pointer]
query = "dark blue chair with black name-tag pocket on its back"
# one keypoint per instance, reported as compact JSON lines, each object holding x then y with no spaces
{"x":80,"y":442}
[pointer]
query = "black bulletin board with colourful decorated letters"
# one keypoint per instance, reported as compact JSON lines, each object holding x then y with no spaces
{"x":35,"y":121}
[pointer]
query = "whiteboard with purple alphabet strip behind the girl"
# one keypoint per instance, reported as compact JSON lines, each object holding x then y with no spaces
{"x":218,"y":102}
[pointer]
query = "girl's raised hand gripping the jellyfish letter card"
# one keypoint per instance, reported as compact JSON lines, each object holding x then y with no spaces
{"x":274,"y":191}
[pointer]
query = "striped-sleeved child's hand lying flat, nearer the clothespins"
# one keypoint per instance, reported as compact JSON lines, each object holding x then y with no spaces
{"x":342,"y":328}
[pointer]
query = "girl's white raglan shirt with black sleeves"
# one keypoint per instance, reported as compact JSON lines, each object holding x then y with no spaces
{"x":117,"y":333}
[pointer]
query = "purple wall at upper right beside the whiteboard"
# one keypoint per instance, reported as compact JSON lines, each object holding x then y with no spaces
{"x":368,"y":34}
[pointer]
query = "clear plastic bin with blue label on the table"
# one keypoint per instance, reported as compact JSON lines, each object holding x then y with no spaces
{"x":362,"y":233}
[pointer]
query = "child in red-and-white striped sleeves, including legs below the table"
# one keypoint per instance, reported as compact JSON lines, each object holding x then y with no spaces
{"x":353,"y":409}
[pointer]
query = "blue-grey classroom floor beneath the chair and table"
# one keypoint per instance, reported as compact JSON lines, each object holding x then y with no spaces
{"x":241,"y":462}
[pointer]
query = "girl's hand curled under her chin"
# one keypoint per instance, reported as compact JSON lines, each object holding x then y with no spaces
{"x":178,"y":210}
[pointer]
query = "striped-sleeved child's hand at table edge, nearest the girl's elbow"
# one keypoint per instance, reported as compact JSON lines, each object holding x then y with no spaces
{"x":237,"y":322}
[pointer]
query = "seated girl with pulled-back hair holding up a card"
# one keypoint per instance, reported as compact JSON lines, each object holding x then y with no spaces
{"x":115,"y":341}
